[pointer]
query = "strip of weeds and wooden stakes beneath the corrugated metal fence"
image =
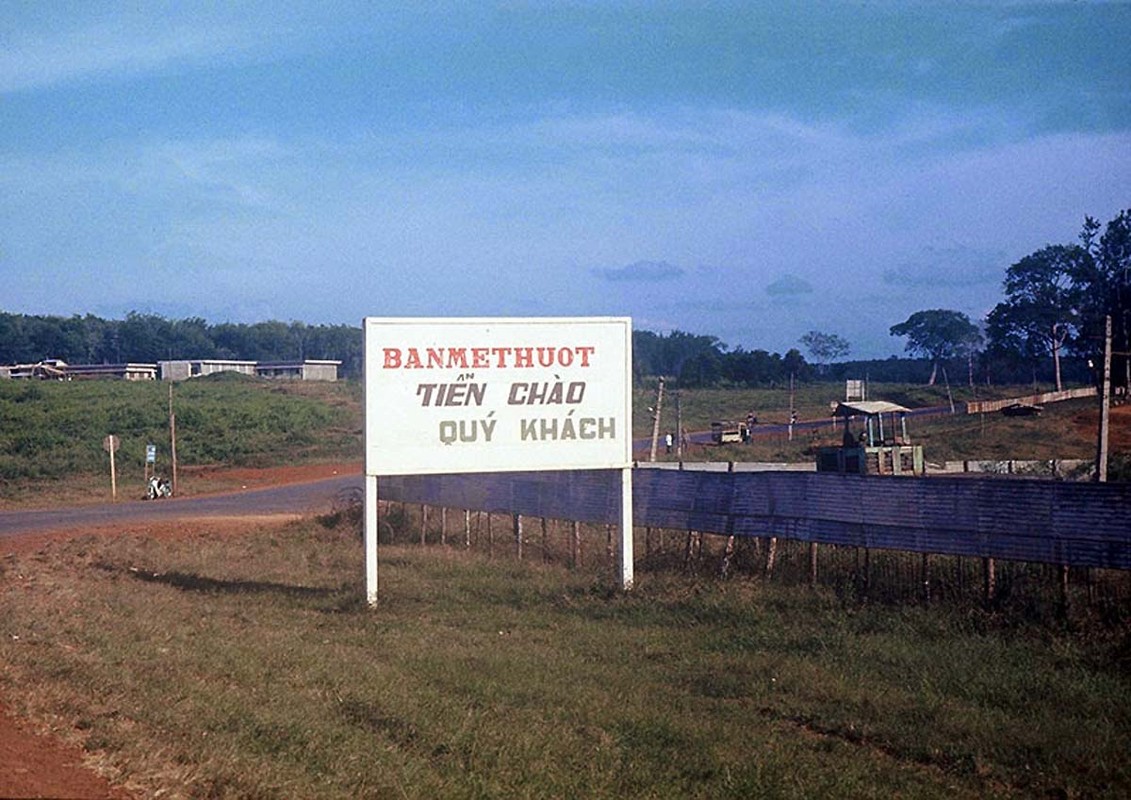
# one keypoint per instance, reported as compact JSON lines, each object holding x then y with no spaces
{"x":1011,"y":590}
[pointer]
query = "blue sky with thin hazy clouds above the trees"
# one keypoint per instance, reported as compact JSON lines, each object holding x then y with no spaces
{"x":748,"y":170}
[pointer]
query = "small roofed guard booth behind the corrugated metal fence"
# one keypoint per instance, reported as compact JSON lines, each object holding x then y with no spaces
{"x":875,"y":442}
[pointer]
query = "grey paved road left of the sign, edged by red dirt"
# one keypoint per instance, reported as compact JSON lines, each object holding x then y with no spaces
{"x":295,"y":498}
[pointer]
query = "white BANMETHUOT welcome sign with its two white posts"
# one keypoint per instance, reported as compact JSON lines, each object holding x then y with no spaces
{"x":497,"y":395}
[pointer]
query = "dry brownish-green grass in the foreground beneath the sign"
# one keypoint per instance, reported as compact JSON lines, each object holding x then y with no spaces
{"x":248,"y":667}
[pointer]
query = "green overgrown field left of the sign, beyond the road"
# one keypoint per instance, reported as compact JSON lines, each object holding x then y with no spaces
{"x":55,"y":431}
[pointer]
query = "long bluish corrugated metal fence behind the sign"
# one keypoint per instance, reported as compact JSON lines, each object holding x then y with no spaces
{"x":1043,"y":522}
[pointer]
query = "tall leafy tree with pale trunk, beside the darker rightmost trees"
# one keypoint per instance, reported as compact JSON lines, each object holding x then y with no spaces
{"x":1042,"y":306}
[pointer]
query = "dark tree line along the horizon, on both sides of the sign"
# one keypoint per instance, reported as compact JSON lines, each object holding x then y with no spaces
{"x":1049,"y":329}
